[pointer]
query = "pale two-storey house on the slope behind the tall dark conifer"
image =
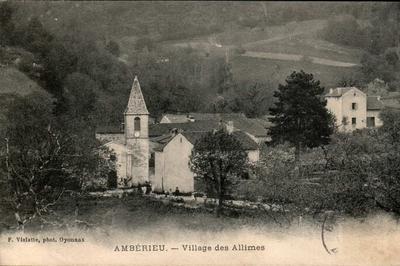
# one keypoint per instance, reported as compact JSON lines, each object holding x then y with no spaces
{"x":353,"y":109}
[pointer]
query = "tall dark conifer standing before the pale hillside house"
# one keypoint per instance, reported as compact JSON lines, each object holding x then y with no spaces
{"x":299,"y":115}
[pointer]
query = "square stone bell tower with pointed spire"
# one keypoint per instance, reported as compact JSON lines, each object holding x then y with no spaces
{"x":137,"y":137}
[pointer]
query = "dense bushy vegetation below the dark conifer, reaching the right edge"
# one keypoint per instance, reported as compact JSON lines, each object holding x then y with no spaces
{"x":355,"y":174}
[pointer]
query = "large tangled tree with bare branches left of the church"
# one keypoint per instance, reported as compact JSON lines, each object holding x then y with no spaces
{"x":42,"y":159}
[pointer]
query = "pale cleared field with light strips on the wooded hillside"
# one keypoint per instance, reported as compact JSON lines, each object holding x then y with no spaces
{"x":272,"y":54}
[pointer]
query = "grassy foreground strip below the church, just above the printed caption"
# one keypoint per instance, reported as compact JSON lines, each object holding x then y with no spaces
{"x":136,"y":211}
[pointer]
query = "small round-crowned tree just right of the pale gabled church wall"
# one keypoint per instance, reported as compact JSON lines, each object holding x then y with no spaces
{"x":219,"y":160}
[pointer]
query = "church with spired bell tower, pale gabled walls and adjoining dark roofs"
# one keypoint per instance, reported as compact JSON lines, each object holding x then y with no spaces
{"x":159,"y":153}
